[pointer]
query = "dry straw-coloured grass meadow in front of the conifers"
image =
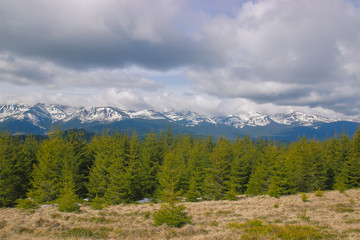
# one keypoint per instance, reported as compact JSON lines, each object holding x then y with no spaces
{"x":334,"y":213}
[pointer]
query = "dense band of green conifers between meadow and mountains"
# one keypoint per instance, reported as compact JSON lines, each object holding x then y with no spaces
{"x":118,"y":168}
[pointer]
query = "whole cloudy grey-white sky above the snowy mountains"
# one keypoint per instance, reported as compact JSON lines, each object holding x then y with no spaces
{"x":214,"y":57}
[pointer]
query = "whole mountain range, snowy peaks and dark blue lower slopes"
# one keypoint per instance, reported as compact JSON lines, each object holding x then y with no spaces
{"x":38,"y":119}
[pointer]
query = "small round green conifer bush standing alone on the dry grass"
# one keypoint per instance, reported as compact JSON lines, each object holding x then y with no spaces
{"x":172,"y":215}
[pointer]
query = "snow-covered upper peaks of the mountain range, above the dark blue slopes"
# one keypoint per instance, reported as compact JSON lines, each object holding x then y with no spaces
{"x":56,"y":113}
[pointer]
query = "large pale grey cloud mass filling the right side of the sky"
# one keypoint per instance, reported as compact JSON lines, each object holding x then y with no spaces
{"x":287,"y":53}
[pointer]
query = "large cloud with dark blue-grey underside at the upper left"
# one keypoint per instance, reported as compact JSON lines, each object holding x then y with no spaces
{"x":107,"y":34}
